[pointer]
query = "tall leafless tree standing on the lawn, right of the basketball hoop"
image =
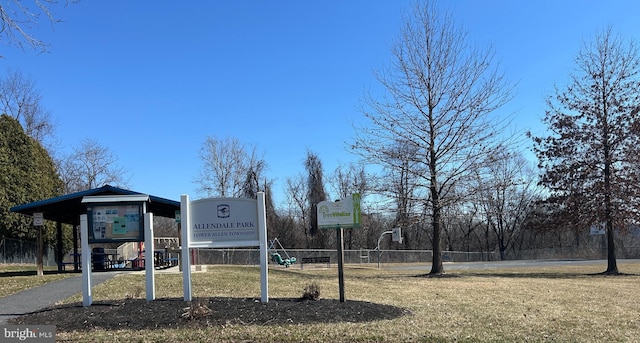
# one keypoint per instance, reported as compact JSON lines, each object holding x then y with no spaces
{"x":440,"y":92}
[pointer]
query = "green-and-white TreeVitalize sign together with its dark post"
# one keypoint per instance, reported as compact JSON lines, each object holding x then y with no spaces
{"x":339,"y":215}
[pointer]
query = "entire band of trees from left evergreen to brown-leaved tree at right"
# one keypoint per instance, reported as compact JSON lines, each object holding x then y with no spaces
{"x":435,"y":157}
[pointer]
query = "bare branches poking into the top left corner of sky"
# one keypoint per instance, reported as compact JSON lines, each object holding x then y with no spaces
{"x":18,"y":18}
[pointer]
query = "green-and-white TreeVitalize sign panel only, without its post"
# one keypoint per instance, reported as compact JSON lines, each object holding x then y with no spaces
{"x":344,"y":213}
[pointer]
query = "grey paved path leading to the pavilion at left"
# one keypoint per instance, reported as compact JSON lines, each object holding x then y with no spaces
{"x":49,"y":294}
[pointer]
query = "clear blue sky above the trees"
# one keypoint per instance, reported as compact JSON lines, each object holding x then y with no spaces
{"x":151,"y":80}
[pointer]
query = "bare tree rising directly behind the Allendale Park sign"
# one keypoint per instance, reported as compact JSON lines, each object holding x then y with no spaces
{"x":229,"y":168}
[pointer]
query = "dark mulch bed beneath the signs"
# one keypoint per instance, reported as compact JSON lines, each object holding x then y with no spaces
{"x":138,"y":314}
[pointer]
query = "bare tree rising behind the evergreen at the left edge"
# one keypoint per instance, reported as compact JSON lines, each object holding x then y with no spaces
{"x":21,"y":100}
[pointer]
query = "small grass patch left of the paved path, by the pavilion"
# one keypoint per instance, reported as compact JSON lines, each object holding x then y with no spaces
{"x":18,"y":277}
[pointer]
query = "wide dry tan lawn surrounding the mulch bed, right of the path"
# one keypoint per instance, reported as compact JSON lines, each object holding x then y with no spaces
{"x":560,"y":304}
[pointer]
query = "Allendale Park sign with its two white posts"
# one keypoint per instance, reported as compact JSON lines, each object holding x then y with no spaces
{"x":223,"y":223}
